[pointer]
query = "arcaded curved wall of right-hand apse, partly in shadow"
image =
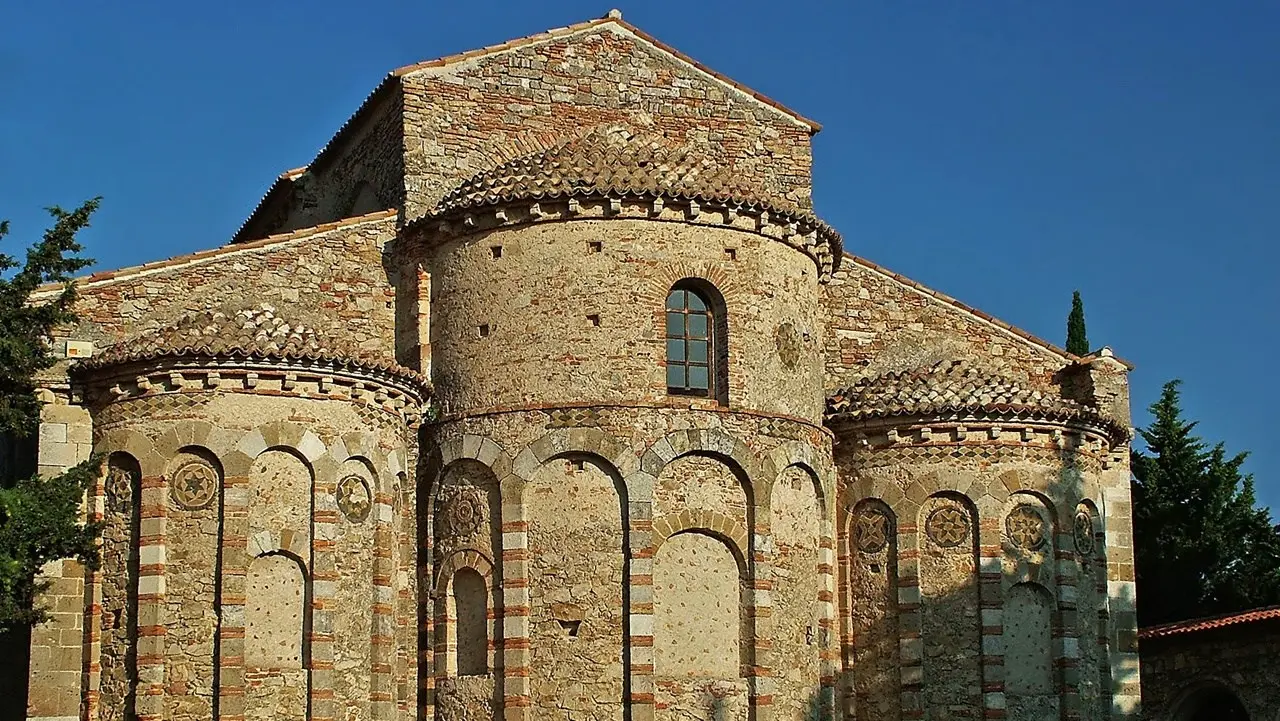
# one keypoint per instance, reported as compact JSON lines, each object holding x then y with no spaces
{"x":988,"y":615}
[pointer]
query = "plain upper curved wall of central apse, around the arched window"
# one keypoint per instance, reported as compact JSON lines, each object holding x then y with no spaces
{"x":552,"y":320}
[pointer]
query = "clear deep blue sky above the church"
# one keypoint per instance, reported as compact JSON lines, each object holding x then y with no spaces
{"x":1004,"y":153}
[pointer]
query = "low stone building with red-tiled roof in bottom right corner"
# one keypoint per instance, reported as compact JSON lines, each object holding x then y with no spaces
{"x":1220,"y":669}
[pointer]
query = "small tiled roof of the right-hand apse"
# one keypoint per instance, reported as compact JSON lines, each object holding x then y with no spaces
{"x":948,"y":387}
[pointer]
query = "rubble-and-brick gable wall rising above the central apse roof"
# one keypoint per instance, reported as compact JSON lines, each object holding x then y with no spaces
{"x":470,"y":116}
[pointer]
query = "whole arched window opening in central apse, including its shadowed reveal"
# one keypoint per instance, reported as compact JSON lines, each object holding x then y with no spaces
{"x":697,"y":358}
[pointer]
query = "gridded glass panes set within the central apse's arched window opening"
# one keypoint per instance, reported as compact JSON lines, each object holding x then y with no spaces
{"x":691,"y":344}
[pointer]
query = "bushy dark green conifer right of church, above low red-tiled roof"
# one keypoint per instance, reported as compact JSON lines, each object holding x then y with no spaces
{"x":1201,"y":544}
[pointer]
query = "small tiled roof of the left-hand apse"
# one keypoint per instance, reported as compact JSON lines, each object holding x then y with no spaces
{"x":253,"y":334}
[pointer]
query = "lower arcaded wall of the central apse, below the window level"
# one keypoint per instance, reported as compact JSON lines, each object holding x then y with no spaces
{"x":696,"y":622}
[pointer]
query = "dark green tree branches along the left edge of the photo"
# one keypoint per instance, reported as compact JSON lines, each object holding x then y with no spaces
{"x":42,"y":519}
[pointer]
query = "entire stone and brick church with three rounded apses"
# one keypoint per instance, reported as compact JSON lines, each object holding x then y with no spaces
{"x":543,"y":394}
